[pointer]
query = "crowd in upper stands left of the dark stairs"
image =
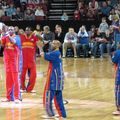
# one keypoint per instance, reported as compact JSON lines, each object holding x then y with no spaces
{"x":17,"y":10}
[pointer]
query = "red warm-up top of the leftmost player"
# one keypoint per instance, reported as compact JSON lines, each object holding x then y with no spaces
{"x":10,"y":55}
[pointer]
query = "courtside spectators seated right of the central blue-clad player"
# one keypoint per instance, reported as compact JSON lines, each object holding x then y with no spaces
{"x":94,"y":42}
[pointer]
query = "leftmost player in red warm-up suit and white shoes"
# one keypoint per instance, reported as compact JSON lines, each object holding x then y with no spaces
{"x":11,"y":61}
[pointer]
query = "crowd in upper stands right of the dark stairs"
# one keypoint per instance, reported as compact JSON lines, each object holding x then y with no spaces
{"x":95,"y":9}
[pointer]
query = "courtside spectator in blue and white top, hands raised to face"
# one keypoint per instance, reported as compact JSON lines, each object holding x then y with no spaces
{"x":83,"y":42}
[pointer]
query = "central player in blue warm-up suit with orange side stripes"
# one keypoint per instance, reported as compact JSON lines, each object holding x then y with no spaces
{"x":54,"y":83}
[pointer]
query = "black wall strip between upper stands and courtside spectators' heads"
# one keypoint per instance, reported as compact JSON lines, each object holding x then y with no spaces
{"x":65,"y":24}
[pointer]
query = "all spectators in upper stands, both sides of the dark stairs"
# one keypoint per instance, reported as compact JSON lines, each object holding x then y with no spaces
{"x":16,"y":10}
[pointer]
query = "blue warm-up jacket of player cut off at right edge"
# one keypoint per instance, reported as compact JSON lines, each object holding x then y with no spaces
{"x":116,"y":60}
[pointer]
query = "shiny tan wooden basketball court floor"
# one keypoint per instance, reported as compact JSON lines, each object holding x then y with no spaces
{"x":89,"y":90}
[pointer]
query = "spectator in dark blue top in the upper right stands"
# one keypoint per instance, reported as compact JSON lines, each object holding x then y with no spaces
{"x":105,"y":9}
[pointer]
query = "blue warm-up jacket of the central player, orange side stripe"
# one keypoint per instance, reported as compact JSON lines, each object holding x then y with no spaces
{"x":55,"y":78}
